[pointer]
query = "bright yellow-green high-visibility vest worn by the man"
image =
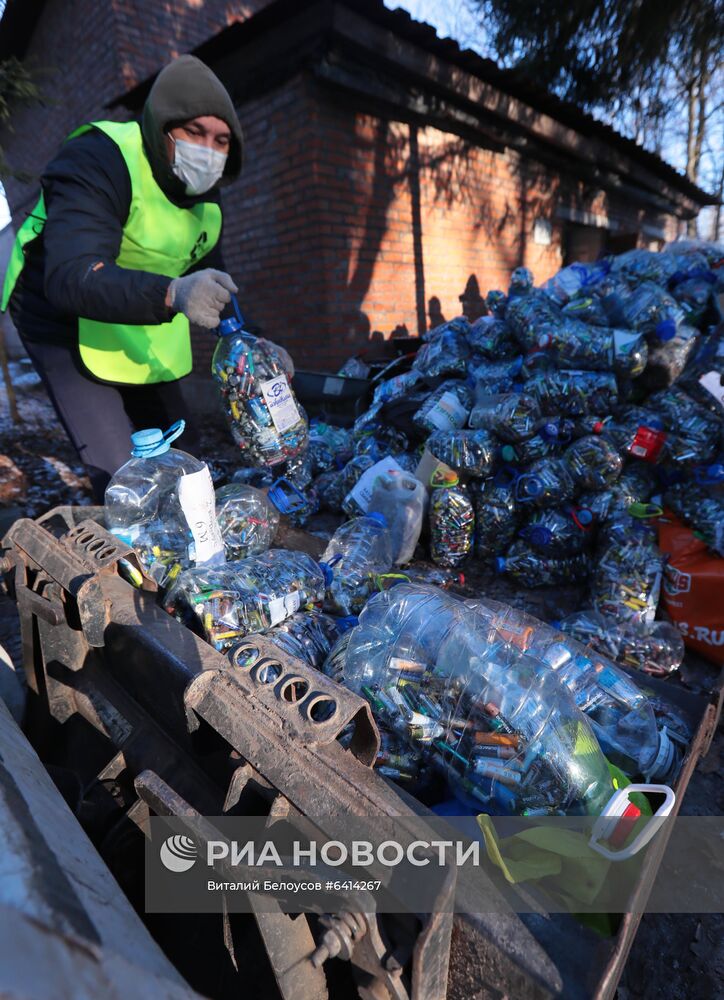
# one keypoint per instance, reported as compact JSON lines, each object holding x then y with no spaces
{"x":159,"y":237}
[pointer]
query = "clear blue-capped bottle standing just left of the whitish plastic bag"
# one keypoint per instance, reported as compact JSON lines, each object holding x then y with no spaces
{"x":359,"y":550}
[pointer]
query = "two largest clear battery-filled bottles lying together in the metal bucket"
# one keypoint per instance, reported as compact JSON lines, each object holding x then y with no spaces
{"x":509,"y":710}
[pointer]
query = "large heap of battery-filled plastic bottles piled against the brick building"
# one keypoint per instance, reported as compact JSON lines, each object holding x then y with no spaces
{"x":569,"y":414}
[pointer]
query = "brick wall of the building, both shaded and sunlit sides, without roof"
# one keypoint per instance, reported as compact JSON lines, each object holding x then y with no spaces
{"x":344,"y":225}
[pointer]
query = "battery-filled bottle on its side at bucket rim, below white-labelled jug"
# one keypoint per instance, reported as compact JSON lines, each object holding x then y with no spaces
{"x":228,"y":602}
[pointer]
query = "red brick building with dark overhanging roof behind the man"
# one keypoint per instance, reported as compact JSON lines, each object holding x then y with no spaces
{"x":386,"y":170}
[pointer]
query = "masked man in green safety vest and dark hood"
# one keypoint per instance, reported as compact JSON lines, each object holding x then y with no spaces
{"x":119,"y":254}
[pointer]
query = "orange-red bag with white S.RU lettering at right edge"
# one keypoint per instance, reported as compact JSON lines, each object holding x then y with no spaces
{"x":693,"y":590}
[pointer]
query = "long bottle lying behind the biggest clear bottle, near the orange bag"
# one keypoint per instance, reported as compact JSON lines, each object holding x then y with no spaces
{"x":620,"y":715}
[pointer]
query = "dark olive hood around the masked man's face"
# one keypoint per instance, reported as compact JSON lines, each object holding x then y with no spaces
{"x":185,"y":89}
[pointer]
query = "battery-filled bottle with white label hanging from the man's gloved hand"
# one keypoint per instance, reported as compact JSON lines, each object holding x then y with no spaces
{"x":265,"y":419}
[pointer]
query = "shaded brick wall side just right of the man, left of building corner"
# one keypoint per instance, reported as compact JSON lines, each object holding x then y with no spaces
{"x":273,"y":223}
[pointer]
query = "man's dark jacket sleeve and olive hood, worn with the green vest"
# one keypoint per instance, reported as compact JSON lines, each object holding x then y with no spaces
{"x":87,"y":191}
